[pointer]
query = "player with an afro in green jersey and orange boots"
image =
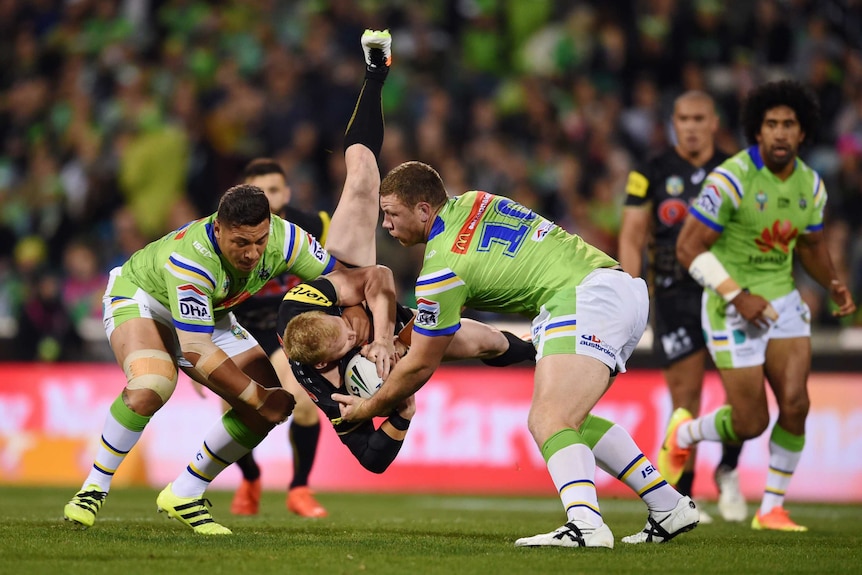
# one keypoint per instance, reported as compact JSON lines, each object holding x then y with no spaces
{"x":754,"y":212}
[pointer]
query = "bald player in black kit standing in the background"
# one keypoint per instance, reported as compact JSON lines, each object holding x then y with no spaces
{"x":657,"y":200}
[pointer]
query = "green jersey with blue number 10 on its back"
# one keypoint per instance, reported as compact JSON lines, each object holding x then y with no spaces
{"x":490,"y":253}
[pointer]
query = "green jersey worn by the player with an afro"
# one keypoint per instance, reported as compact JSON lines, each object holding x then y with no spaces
{"x":760,"y":218}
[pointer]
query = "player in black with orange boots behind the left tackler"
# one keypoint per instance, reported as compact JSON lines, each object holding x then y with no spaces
{"x":258,"y":315}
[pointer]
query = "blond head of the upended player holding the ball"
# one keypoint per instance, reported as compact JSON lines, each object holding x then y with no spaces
{"x":317,"y":338}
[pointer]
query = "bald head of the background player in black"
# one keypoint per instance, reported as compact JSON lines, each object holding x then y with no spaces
{"x":694,"y":123}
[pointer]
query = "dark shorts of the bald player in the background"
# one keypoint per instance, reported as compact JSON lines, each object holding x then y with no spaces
{"x":678,"y":331}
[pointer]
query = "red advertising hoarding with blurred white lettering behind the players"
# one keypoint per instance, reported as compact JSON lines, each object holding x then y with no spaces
{"x":469,"y":435}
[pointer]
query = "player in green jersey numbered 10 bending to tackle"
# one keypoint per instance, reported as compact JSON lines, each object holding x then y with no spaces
{"x":490,"y":253}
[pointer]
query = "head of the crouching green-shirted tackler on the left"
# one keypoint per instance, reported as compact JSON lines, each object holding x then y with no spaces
{"x":241,"y":227}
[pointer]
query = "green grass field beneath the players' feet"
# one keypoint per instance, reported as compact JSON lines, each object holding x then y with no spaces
{"x":399,"y":534}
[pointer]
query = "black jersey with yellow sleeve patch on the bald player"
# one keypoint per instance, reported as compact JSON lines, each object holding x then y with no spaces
{"x":667,"y":184}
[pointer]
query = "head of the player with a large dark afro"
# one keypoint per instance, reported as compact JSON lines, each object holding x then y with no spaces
{"x":778,"y":116}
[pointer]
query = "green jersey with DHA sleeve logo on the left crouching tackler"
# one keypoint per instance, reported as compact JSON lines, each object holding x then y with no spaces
{"x":185,"y":272}
